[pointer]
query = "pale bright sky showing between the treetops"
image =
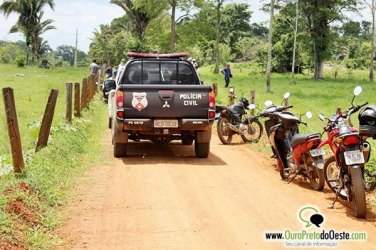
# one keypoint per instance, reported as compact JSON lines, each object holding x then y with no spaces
{"x":86,"y":16}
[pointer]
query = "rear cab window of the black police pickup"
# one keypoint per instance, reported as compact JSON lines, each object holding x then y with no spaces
{"x":160,"y":72}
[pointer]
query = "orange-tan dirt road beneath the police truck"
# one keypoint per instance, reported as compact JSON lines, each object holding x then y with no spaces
{"x":162,"y":197}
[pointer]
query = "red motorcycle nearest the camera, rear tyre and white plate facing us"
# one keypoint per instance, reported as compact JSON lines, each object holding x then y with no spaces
{"x":344,"y":170}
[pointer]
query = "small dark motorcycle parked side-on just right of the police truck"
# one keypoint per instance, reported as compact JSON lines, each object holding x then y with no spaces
{"x":234,"y":120}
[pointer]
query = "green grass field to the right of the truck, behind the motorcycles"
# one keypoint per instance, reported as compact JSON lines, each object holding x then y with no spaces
{"x":322,"y":96}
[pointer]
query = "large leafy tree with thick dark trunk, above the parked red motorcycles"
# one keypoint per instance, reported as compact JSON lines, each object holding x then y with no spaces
{"x":319,"y":14}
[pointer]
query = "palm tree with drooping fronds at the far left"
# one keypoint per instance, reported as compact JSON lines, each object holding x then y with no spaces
{"x":29,"y":14}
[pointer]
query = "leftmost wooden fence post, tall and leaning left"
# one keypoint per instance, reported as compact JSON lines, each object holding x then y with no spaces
{"x":13,"y":130}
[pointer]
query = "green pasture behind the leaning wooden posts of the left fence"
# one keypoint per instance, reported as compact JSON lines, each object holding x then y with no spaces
{"x":32,"y":87}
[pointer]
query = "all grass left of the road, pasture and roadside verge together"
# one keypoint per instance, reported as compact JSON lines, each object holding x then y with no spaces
{"x":52,"y":171}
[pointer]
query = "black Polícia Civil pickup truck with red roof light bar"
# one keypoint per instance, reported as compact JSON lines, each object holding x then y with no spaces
{"x":160,"y":98}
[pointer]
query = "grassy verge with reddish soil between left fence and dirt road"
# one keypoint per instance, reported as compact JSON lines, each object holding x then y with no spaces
{"x":29,"y":203}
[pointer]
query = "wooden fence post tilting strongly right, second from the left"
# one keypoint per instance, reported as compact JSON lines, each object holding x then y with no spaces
{"x":44,"y":131}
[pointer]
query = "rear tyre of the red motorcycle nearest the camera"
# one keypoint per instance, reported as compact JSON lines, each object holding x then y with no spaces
{"x":358,"y":194}
